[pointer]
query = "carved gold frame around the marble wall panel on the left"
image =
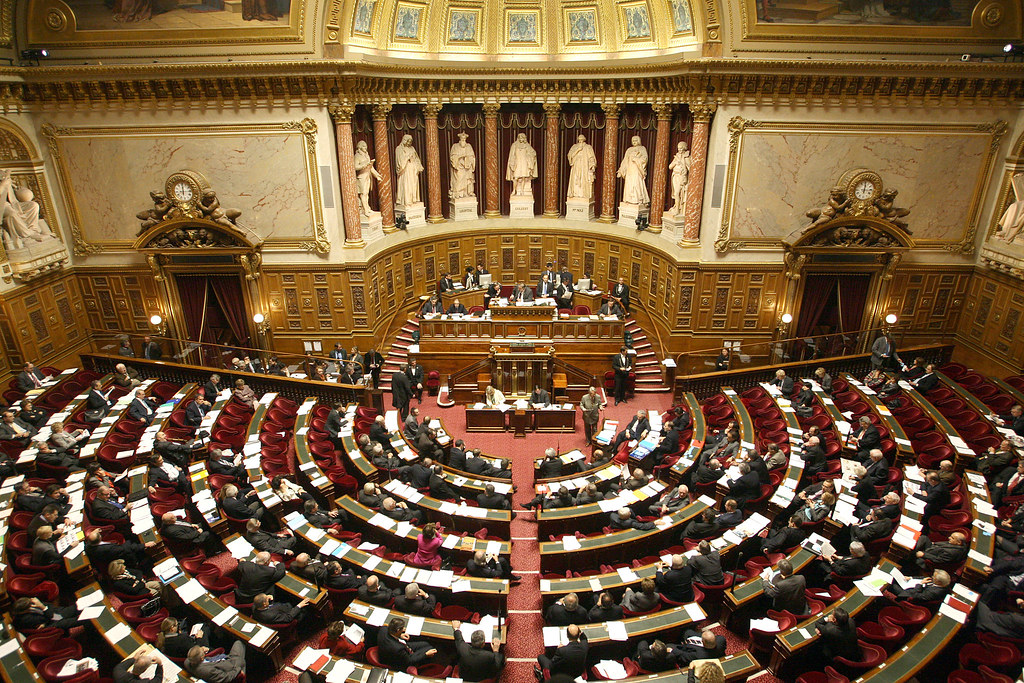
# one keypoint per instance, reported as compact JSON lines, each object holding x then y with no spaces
{"x":320,"y":243}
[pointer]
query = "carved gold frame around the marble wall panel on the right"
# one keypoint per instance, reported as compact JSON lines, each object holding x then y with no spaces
{"x":738,"y":126}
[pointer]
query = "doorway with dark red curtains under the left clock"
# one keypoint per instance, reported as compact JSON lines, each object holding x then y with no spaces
{"x":214,"y":310}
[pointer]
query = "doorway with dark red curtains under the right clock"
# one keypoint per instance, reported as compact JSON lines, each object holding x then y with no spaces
{"x":831,"y":313}
